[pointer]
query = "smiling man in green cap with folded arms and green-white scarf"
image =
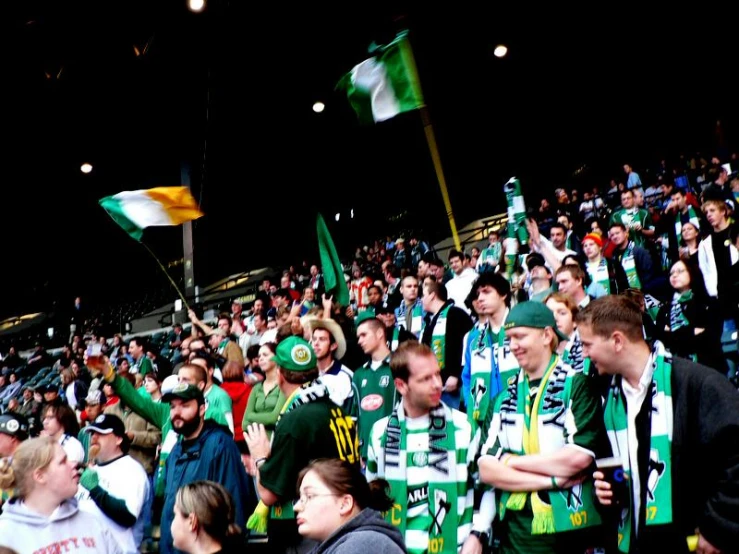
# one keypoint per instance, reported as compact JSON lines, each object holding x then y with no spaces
{"x":544,"y":435}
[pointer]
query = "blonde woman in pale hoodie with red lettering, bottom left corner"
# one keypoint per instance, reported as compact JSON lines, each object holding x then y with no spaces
{"x":43,"y":512}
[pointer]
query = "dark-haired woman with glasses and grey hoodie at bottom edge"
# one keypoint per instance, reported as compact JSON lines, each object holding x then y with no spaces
{"x":340,"y":509}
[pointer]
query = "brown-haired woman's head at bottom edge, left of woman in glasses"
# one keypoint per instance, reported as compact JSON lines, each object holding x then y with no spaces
{"x":204,"y":519}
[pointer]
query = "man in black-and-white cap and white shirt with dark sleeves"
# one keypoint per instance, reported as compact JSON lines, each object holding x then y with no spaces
{"x":115,"y":486}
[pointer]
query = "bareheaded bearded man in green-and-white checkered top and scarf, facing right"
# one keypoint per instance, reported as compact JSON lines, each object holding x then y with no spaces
{"x":423,"y":449}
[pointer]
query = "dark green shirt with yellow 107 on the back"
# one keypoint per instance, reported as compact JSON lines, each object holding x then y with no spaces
{"x":315,"y":430}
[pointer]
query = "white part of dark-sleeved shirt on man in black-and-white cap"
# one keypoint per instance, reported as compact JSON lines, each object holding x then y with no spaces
{"x":125,"y":479}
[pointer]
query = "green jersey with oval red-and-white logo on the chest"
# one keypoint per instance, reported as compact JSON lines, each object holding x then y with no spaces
{"x":377,"y":396}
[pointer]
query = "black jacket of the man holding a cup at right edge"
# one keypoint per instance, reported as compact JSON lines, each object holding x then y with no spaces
{"x":705,"y":463}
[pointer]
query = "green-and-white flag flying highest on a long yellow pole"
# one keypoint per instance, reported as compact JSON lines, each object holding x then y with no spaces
{"x":386,"y":84}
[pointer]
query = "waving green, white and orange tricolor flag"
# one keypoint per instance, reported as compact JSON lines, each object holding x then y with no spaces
{"x":136,"y":210}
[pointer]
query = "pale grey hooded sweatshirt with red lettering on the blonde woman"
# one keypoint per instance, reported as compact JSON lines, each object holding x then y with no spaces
{"x":65,"y":530}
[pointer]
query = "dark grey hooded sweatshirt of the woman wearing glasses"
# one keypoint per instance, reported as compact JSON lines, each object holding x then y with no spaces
{"x":367,"y":532}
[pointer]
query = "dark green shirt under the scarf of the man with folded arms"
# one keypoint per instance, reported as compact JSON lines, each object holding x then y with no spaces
{"x":586,"y":414}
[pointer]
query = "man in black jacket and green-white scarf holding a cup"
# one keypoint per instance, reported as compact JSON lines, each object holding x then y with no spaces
{"x":675,"y":426}
